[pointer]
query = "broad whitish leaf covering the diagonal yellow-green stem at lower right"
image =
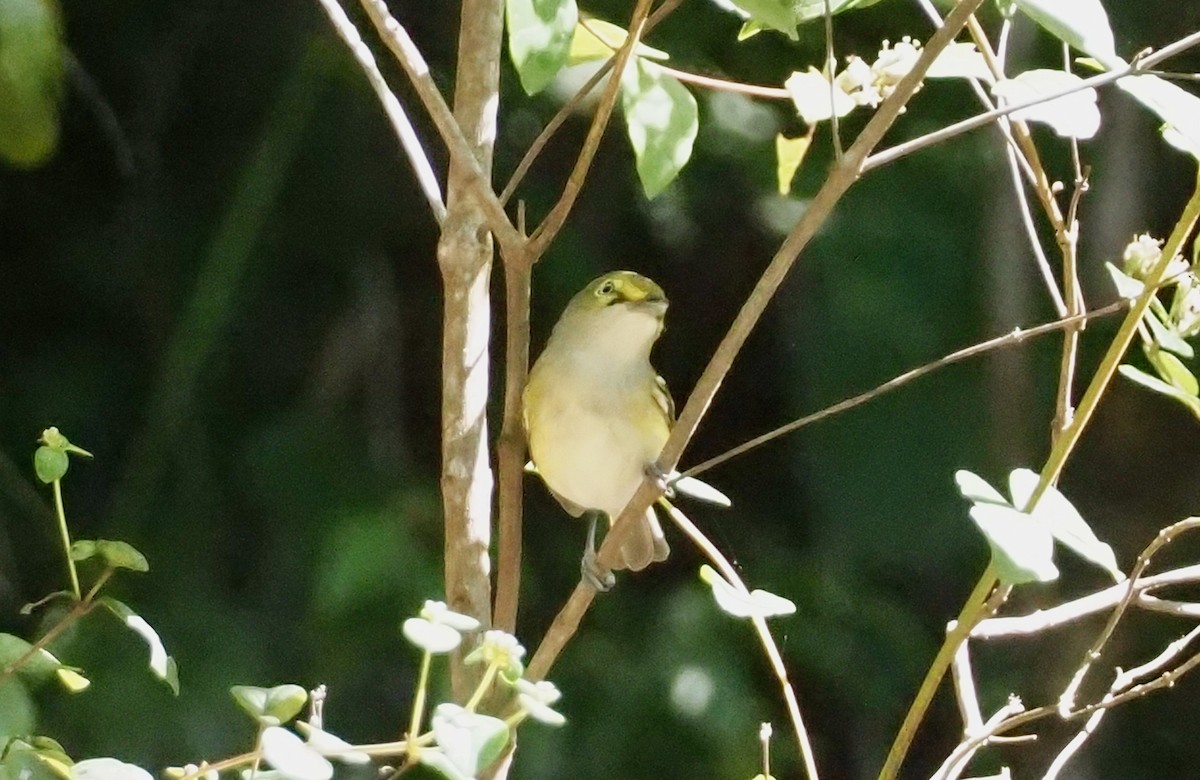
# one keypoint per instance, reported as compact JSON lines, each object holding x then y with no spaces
{"x":1022,"y":548}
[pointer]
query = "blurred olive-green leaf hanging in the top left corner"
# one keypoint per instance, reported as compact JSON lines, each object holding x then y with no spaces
{"x":32,"y":69}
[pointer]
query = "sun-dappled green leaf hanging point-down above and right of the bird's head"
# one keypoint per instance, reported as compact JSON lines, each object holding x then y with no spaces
{"x":662,"y":119}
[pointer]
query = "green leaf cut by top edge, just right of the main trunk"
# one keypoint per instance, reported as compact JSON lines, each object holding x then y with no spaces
{"x":541,"y":34}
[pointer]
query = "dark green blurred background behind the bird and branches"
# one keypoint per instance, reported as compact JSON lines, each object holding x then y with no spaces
{"x":223,"y":284}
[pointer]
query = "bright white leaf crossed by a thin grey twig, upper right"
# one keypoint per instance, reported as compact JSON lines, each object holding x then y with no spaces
{"x":1075,"y":116}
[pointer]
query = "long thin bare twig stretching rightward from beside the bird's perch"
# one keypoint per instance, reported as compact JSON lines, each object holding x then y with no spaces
{"x":1015,"y":338}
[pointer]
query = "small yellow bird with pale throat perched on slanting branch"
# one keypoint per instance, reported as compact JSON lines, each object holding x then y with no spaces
{"x":596,"y":412}
